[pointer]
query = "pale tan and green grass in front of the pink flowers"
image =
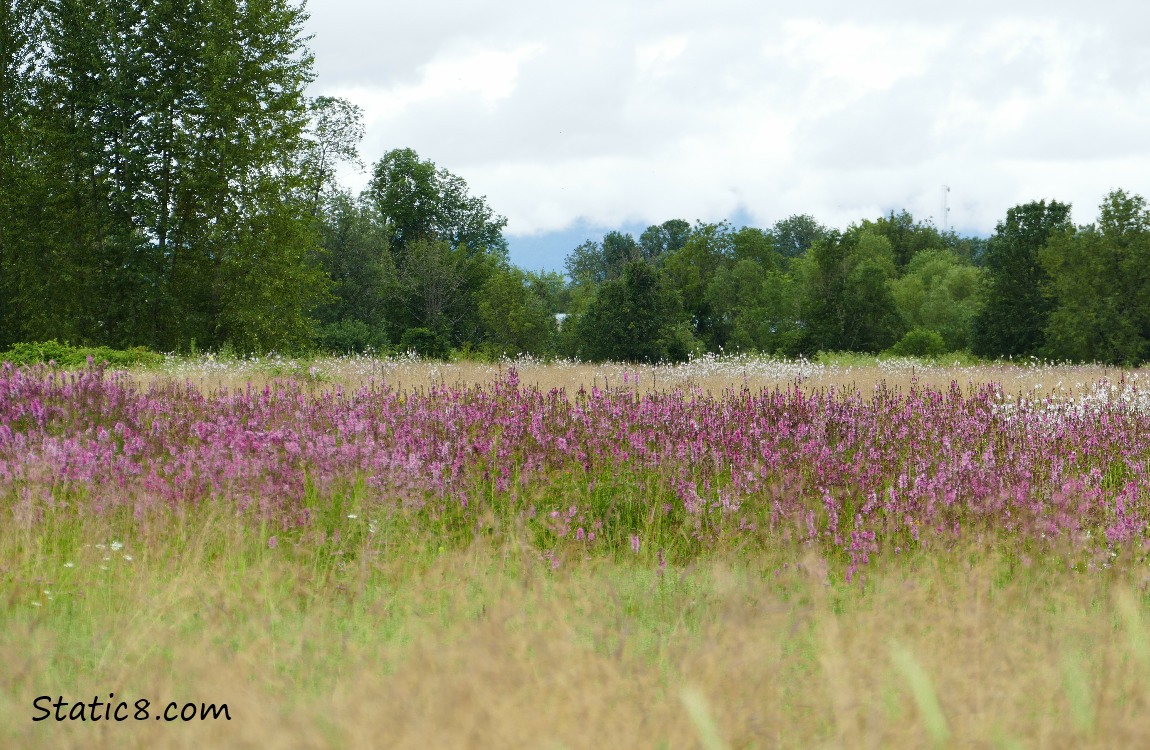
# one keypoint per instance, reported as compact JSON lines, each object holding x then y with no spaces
{"x":402,"y":642}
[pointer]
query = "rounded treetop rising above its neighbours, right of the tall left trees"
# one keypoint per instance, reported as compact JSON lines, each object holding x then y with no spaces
{"x":420,"y":202}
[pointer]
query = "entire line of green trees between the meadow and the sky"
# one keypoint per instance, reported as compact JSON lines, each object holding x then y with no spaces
{"x":166,"y":182}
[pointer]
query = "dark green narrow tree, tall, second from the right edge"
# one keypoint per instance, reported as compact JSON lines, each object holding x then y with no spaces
{"x":1017,"y":310}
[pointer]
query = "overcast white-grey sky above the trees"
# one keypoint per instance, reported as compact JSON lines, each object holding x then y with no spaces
{"x":577,"y":119}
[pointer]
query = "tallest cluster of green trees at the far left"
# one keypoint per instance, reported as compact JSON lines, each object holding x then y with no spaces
{"x":162,"y":197}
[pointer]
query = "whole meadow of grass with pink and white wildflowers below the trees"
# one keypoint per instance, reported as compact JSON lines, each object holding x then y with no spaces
{"x":729,"y":554}
